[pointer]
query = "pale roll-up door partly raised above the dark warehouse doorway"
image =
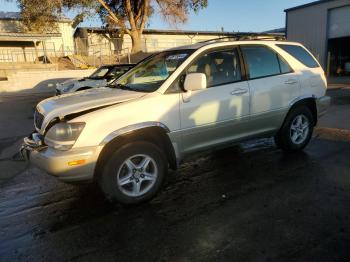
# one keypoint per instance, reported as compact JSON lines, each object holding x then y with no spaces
{"x":339,"y":22}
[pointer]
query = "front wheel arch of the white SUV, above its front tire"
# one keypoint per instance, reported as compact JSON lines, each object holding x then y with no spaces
{"x":153,"y":132}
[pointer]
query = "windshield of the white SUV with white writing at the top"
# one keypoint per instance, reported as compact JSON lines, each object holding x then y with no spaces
{"x":150,"y":74}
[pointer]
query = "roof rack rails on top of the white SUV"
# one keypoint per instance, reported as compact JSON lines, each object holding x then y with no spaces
{"x":247,"y":37}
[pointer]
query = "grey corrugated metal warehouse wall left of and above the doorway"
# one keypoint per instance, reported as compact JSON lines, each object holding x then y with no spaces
{"x":309,"y":26}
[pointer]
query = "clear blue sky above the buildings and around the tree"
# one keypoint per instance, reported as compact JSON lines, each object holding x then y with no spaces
{"x":231,"y":15}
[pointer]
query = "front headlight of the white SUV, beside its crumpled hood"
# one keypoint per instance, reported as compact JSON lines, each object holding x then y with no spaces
{"x":62,"y":136}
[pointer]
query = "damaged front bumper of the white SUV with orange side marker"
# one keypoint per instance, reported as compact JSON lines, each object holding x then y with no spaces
{"x":75,"y":165}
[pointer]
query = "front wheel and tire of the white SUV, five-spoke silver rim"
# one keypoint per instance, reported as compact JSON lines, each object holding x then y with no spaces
{"x":126,"y":180}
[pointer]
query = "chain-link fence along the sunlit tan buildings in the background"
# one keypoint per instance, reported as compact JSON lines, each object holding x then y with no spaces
{"x":95,"y":51}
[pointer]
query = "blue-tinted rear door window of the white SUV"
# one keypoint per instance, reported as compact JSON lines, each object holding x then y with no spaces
{"x":261,"y":61}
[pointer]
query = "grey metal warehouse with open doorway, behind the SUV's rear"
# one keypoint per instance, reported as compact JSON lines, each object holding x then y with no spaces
{"x":324,"y":28}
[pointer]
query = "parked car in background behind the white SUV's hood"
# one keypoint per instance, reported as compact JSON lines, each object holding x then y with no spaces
{"x":103,"y":76}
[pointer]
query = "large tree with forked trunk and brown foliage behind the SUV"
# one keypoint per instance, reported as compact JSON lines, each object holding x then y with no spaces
{"x":129,"y":16}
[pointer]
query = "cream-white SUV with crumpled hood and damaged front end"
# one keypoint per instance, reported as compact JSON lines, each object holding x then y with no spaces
{"x":174,"y":104}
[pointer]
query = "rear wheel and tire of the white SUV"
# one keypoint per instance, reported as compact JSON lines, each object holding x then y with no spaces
{"x":296,"y":131}
